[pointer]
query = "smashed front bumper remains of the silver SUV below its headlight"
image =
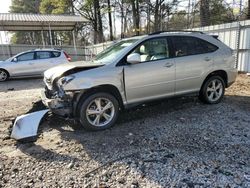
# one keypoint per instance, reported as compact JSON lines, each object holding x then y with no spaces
{"x":59,"y":105}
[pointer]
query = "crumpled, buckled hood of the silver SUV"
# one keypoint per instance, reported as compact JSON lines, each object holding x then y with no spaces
{"x":68,"y":68}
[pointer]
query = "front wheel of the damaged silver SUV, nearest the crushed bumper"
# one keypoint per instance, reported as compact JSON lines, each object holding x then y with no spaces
{"x":93,"y":115}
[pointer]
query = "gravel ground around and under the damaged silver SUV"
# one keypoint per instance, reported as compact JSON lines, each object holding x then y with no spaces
{"x":173,"y":143}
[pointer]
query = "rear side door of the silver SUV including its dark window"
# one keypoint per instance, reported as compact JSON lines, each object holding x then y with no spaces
{"x":193,"y":58}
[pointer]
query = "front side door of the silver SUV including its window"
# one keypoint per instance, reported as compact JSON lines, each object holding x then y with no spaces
{"x":154,"y":76}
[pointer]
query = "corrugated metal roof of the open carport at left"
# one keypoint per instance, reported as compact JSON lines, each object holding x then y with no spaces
{"x":19,"y":22}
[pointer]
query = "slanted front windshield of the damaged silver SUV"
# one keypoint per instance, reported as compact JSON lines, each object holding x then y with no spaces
{"x":111,"y":52}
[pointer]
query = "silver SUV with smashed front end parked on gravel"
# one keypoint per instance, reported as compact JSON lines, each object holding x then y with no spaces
{"x":137,"y":70}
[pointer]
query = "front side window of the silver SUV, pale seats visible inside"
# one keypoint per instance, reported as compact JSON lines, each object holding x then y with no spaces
{"x":153,"y":49}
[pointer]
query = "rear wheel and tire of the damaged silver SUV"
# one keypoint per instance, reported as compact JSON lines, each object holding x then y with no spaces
{"x":212,"y":91}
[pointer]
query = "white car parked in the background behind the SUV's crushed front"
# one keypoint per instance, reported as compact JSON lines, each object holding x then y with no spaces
{"x":32,"y":63}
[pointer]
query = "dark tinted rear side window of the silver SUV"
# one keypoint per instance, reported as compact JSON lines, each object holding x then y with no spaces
{"x":191,"y":46}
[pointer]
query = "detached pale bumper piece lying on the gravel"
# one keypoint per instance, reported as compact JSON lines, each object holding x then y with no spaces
{"x":26,"y":126}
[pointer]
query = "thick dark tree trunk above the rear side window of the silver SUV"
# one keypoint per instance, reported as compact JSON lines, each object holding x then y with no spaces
{"x":204,"y":12}
